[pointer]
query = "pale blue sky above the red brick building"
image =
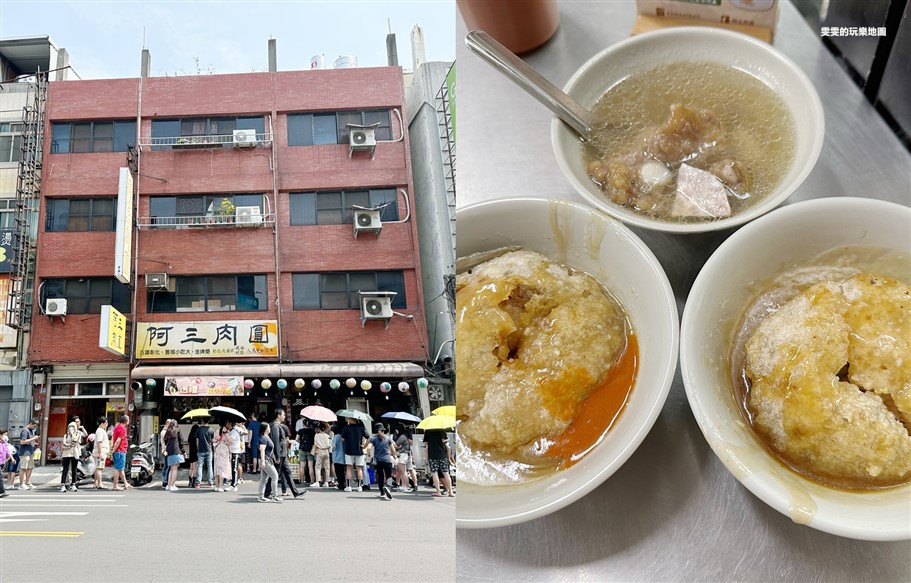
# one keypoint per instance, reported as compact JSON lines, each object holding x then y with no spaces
{"x":105,"y":39}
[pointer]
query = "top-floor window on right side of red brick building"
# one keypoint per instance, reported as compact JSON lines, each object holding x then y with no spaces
{"x":313,"y":129}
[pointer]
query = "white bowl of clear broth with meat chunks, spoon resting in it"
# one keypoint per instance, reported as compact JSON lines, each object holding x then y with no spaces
{"x":700,"y":130}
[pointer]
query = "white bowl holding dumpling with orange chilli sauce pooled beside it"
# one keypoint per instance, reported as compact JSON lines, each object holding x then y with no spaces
{"x":567,"y":335}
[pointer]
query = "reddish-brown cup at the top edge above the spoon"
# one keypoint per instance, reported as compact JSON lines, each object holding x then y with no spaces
{"x":519,"y":25}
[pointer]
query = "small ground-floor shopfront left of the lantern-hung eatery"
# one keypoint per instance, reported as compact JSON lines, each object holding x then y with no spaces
{"x":89,"y":391}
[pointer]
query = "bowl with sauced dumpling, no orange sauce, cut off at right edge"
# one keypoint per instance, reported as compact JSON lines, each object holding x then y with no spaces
{"x":796,"y":360}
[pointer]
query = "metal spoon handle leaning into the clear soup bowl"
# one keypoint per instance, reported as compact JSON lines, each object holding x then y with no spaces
{"x":516,"y":70}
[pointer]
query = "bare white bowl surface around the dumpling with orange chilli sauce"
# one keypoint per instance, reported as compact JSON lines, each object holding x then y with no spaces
{"x":587,"y":240}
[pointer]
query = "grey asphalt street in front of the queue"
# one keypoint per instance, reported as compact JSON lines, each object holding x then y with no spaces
{"x":149,"y":534}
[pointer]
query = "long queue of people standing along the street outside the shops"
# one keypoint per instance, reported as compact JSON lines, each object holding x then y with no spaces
{"x":336,"y":455}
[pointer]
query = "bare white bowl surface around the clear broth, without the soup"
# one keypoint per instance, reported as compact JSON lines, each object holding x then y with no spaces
{"x":732,"y":49}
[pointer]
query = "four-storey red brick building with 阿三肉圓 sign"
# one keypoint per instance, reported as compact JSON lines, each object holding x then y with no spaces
{"x":266,"y":243}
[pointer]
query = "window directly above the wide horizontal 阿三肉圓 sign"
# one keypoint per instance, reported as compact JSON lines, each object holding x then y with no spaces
{"x":211,"y":293}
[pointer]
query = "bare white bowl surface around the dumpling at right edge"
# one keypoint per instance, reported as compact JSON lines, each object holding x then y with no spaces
{"x":755,"y":253}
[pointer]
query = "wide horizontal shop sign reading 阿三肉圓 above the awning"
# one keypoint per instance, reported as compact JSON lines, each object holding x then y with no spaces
{"x":216,"y":339}
